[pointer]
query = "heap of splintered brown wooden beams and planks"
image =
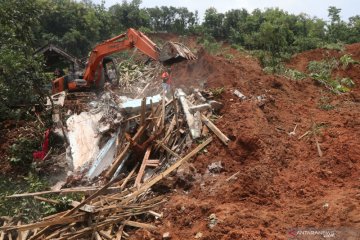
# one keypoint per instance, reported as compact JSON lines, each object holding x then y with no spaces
{"x":154,"y":144}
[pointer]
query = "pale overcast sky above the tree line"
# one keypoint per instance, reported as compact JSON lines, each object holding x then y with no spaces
{"x":316,"y":8}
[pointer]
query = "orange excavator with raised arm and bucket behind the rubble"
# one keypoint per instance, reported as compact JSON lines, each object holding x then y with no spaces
{"x":93,"y":76}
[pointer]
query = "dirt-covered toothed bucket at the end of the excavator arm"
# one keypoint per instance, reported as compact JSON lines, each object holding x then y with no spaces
{"x":174,"y":52}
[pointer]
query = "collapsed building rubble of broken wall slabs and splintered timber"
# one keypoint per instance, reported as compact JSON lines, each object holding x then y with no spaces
{"x":123,"y":147}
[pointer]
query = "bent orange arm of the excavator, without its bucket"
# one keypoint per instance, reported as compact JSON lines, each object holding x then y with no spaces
{"x":119,"y":43}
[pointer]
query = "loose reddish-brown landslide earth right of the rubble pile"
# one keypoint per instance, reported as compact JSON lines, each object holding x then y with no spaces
{"x":282,"y":183}
